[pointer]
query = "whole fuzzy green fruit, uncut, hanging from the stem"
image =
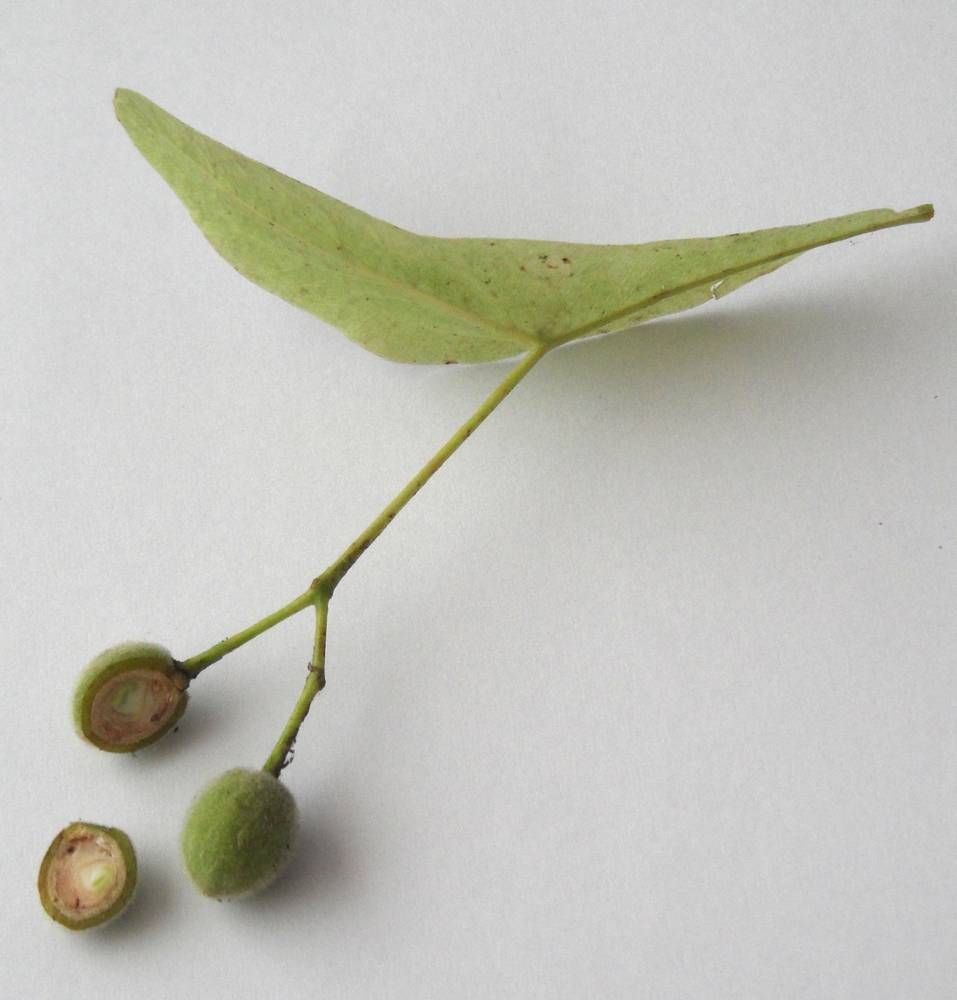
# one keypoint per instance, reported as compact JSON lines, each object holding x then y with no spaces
{"x":238,"y":833}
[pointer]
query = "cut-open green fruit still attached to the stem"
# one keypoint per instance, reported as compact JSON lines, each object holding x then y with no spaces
{"x":129,"y":696}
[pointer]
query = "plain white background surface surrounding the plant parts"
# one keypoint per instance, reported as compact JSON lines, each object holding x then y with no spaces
{"x":651,"y":692}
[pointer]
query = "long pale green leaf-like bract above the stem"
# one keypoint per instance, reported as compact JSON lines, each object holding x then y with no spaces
{"x":429,"y":299}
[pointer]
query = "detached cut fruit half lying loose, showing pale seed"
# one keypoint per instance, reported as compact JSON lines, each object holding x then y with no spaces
{"x":87,"y":875}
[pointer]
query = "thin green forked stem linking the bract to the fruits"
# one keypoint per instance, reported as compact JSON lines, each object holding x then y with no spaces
{"x":320,"y":591}
